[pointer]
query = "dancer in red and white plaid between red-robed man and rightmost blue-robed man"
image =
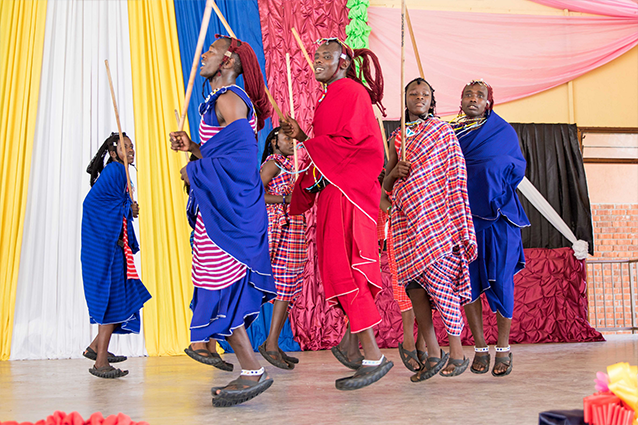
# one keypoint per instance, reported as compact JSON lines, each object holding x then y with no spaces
{"x":432,"y":230}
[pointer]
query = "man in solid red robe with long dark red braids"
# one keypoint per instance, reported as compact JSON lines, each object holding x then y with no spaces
{"x":347,"y":155}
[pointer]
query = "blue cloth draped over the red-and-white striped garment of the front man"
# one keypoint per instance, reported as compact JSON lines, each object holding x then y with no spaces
{"x":229,"y":193}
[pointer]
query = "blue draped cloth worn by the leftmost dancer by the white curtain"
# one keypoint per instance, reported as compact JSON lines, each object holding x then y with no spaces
{"x":110,"y":296}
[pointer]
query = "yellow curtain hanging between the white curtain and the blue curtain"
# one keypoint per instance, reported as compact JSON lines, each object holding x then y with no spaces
{"x":158,"y":90}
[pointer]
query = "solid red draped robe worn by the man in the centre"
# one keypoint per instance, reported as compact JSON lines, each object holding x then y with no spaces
{"x":347,"y":150}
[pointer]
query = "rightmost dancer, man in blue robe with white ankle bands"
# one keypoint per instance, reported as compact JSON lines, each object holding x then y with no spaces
{"x":495,"y":167}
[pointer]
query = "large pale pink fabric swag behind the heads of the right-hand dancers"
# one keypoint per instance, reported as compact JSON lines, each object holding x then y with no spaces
{"x":519,"y":55}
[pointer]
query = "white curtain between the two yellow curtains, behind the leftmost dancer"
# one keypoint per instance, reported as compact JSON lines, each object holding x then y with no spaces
{"x":75,"y":116}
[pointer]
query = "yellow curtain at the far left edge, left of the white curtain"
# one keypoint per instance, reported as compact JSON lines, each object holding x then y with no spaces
{"x":21,"y":45}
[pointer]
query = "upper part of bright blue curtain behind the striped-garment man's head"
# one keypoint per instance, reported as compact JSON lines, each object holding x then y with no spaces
{"x":243,"y":18}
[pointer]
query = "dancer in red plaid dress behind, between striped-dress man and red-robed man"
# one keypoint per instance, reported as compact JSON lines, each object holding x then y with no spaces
{"x":287,"y":238}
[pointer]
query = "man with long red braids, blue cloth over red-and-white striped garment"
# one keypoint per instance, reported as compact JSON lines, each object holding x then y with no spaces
{"x":231,"y":269}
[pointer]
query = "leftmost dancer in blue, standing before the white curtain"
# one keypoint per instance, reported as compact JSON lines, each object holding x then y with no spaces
{"x":113,"y":290}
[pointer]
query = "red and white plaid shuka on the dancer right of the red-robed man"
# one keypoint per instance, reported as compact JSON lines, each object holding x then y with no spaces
{"x":432,"y":228}
